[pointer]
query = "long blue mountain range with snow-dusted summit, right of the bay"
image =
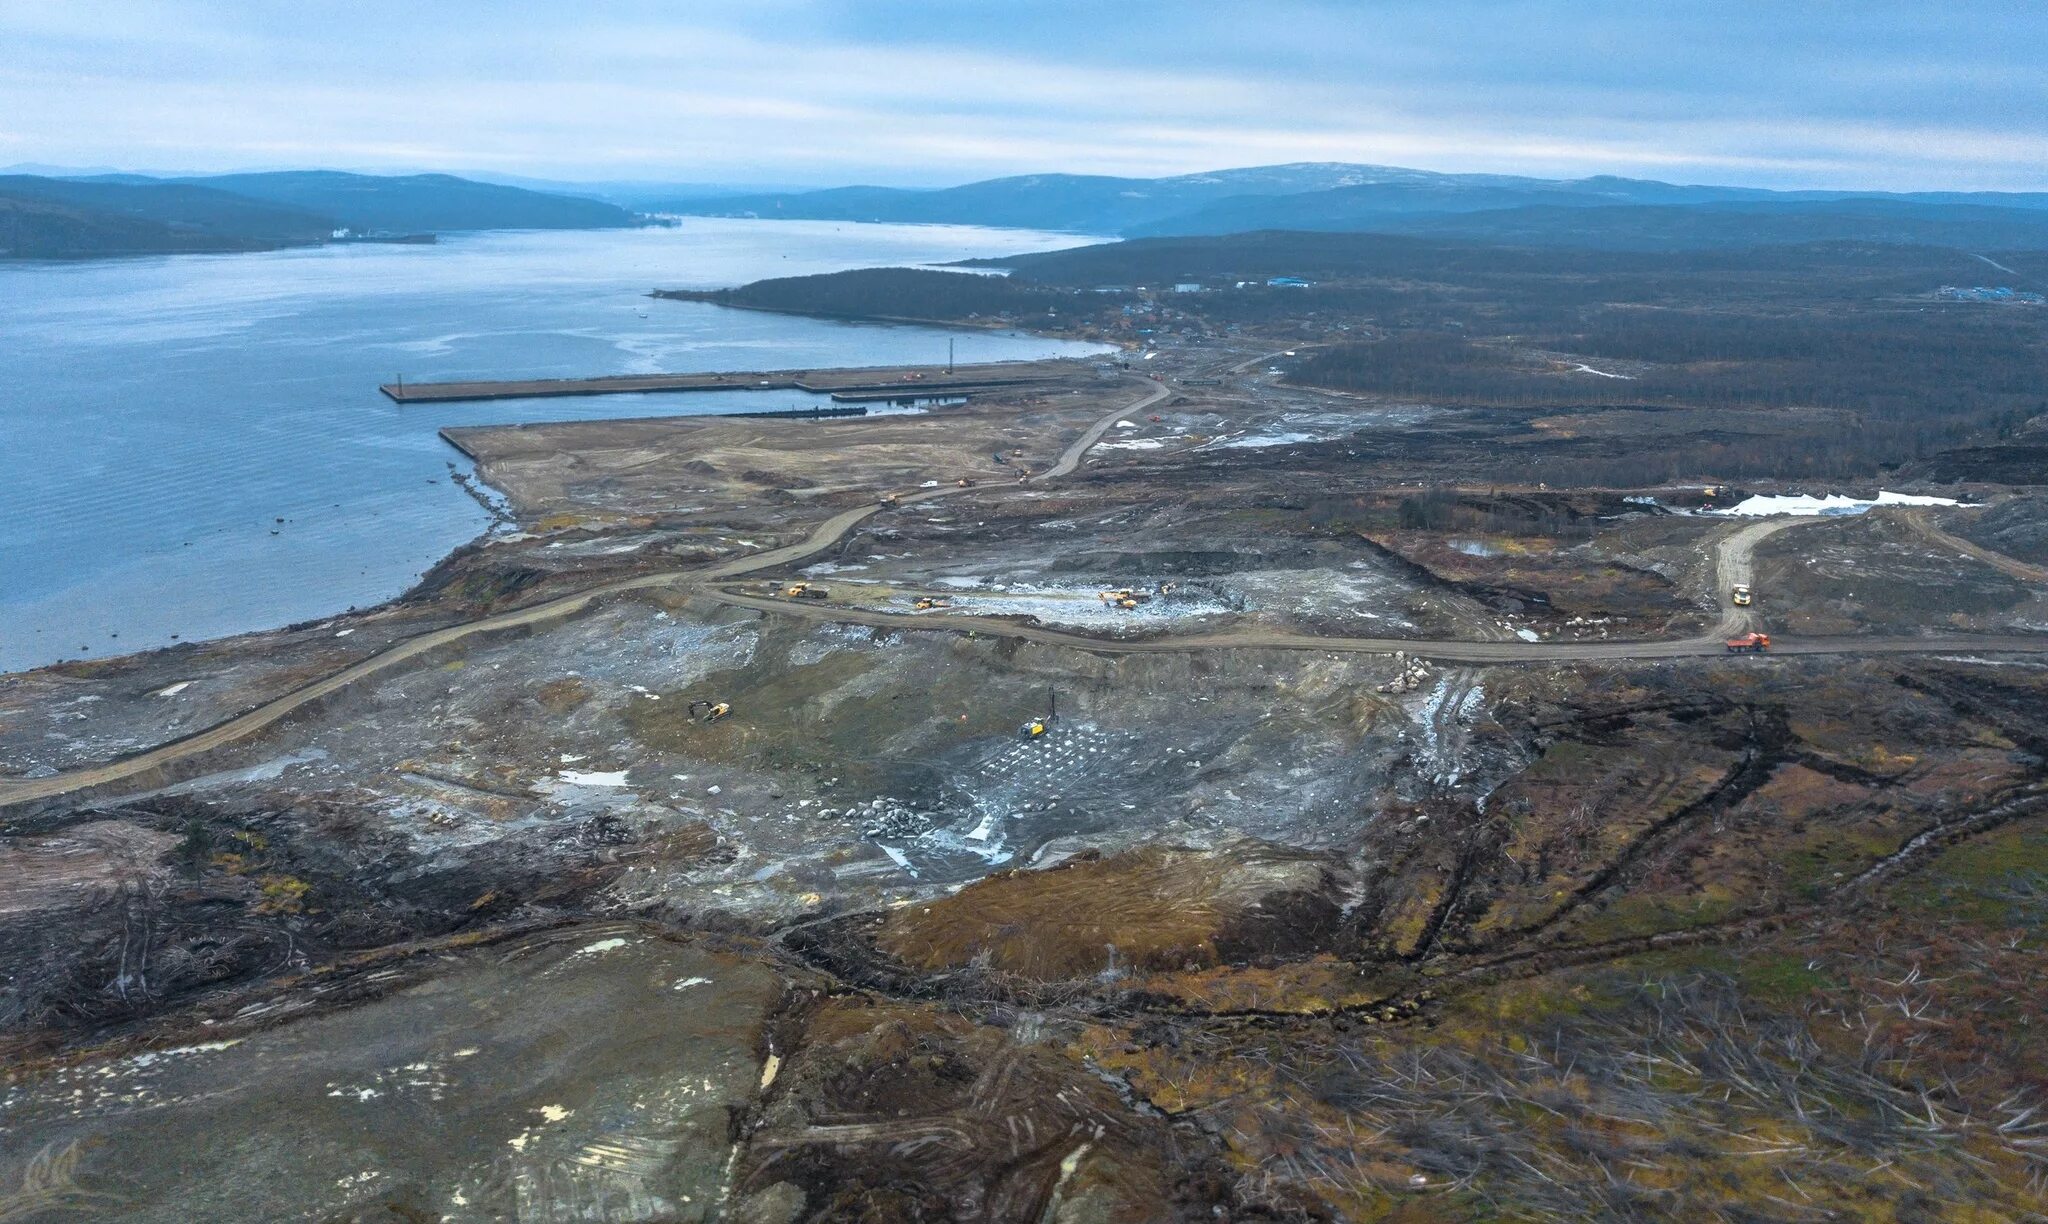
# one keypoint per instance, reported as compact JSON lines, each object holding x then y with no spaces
{"x":1615,"y":214}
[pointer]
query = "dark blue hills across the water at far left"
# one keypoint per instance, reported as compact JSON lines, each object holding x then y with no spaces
{"x":134,"y":214}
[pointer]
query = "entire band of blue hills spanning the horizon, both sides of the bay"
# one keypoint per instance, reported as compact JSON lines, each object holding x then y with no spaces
{"x":83,"y":216}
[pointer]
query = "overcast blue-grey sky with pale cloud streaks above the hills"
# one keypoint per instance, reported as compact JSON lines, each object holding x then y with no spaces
{"x":1777,"y":93}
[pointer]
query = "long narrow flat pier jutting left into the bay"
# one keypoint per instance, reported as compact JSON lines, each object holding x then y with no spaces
{"x":845,"y":384}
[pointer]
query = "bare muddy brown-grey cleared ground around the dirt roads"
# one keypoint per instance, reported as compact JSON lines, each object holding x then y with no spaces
{"x":515,"y":932}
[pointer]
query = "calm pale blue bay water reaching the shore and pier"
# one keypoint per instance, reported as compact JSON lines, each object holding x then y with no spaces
{"x":161,"y":417}
